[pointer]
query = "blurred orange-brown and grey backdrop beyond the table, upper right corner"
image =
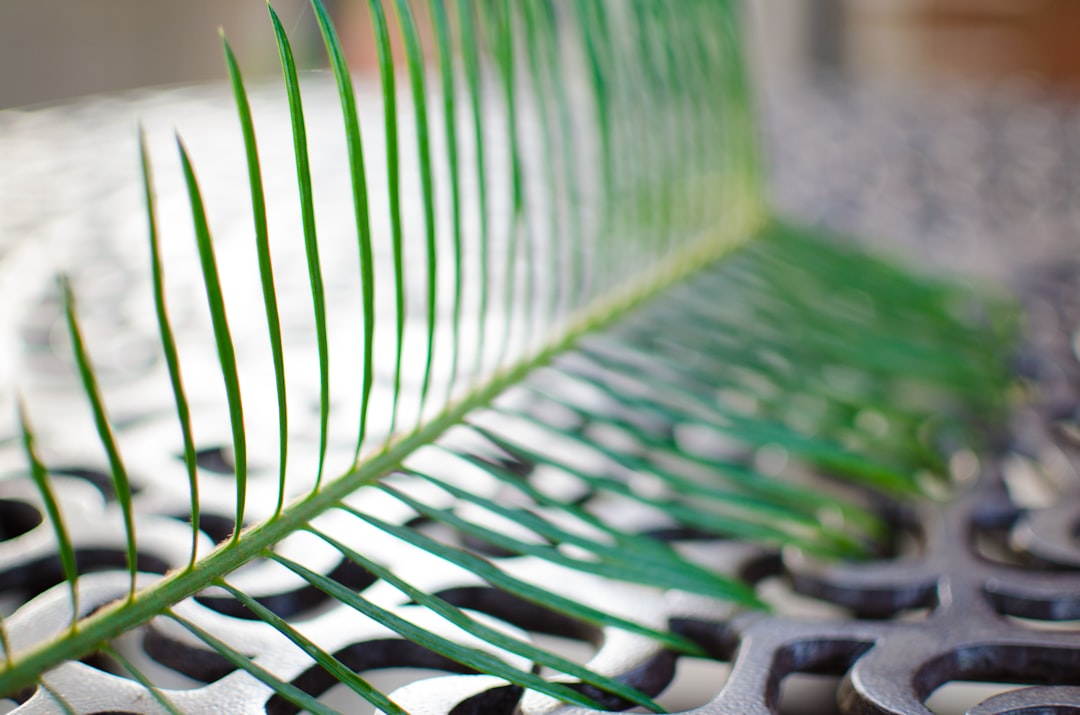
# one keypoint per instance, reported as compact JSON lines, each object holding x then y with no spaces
{"x":924,"y":43}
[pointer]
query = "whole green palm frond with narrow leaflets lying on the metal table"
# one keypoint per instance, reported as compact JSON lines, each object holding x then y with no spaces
{"x":569,"y":285}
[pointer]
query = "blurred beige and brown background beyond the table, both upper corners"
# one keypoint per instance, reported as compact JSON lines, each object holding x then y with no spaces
{"x":52,"y":50}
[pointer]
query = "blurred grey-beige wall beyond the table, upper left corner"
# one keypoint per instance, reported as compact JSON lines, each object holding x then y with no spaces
{"x":51,"y":50}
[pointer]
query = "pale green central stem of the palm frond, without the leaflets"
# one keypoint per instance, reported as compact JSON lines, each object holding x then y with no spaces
{"x":746,"y":218}
